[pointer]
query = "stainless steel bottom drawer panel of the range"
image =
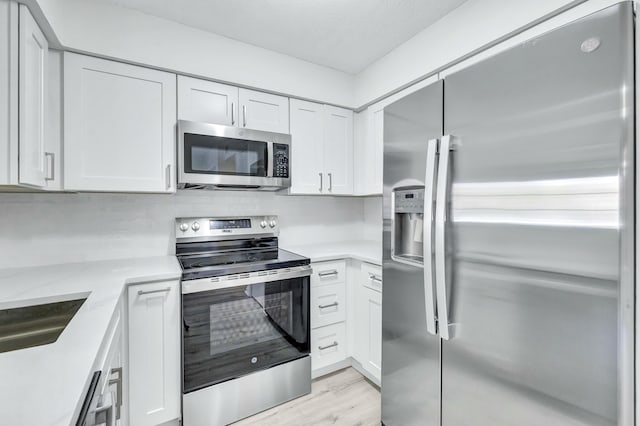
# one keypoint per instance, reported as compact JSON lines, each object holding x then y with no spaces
{"x":236,"y":399}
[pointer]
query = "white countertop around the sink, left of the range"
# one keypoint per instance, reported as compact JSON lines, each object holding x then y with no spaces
{"x":44,"y":385}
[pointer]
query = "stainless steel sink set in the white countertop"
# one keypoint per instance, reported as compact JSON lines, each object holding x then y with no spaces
{"x":35,"y":325}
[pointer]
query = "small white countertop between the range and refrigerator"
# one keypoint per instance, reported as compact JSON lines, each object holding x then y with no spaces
{"x":366,"y":251}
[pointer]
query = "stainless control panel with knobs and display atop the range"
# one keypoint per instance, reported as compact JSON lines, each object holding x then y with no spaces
{"x":225,"y":227}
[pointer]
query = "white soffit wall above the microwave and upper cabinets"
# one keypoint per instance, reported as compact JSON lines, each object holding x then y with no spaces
{"x":108,"y":30}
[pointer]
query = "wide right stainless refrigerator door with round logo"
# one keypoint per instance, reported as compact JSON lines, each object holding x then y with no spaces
{"x":540,"y":231}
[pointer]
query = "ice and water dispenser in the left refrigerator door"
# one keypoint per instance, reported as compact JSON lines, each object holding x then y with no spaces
{"x":408,"y":215}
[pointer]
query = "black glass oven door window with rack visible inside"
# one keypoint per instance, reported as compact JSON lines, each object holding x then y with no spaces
{"x":235,"y":331}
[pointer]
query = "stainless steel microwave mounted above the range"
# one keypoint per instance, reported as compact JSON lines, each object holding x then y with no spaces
{"x":212,"y":156}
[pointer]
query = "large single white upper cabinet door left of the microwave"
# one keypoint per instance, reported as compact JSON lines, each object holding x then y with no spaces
{"x":119,"y":126}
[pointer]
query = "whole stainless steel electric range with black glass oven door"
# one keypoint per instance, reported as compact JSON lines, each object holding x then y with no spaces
{"x":245,"y":312}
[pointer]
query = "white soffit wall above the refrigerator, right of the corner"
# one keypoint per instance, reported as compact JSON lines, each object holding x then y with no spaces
{"x":471,"y":26}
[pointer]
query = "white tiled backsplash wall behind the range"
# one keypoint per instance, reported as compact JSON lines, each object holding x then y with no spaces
{"x":38,"y":229}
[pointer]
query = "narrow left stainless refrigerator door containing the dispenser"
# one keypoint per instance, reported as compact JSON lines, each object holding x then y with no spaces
{"x":410,"y":352}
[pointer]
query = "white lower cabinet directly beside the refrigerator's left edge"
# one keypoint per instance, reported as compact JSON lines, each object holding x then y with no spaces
{"x":368,"y":320}
